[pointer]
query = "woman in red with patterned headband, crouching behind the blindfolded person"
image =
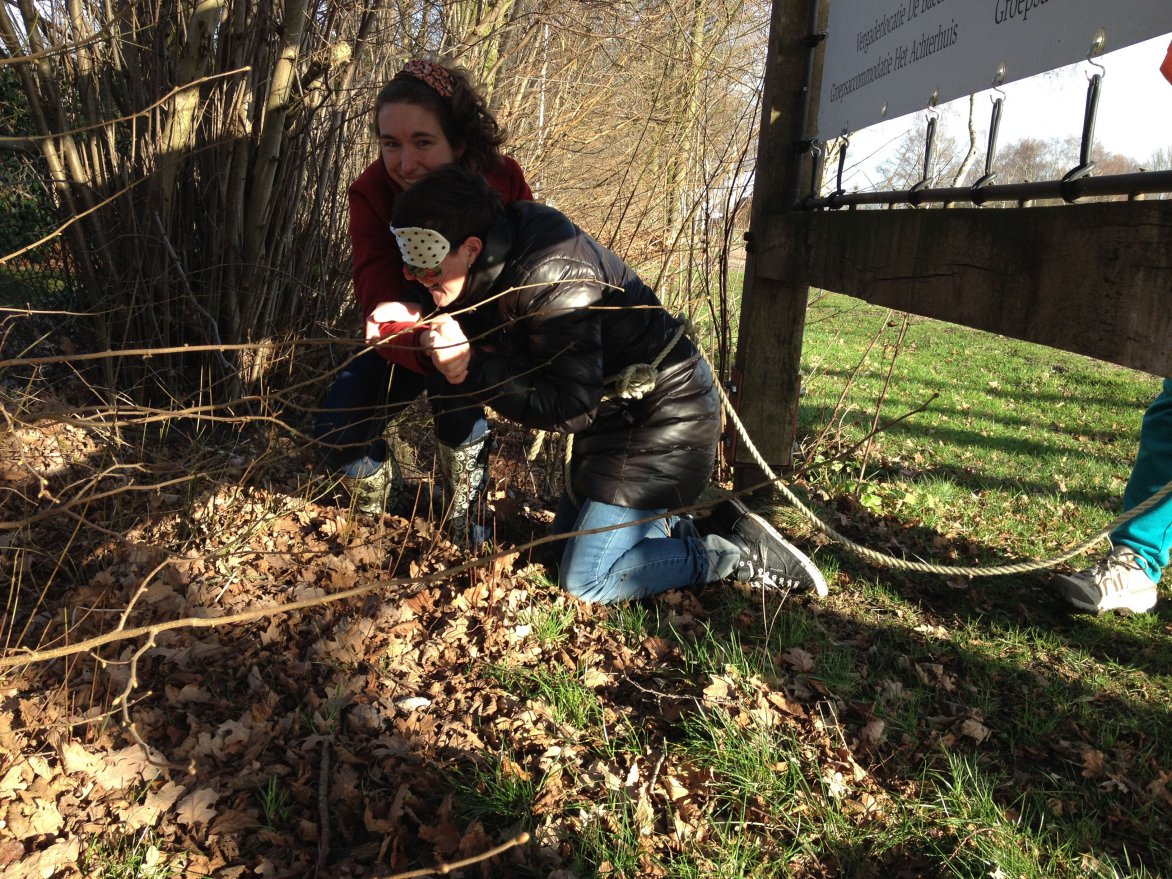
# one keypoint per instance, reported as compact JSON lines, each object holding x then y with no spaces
{"x":427,"y":117}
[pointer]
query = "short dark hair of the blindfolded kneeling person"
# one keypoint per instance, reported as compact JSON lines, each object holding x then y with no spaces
{"x":453,"y":201}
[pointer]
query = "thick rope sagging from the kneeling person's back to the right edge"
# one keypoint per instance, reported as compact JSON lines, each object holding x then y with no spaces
{"x":892,"y":562}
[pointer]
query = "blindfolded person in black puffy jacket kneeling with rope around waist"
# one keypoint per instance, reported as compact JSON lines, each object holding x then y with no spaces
{"x":537,"y":319}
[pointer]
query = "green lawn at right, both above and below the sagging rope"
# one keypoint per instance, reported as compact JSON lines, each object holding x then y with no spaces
{"x":1021,"y":453}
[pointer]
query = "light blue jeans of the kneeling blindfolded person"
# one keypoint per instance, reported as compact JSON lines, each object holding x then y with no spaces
{"x":626,"y":563}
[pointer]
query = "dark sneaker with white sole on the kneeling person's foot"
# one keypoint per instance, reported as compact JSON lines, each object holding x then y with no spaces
{"x":767,"y":558}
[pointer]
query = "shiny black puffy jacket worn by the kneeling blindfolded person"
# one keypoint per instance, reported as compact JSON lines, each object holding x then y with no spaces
{"x":553,"y":315}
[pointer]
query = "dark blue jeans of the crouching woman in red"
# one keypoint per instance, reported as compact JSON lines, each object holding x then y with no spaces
{"x":367,"y":394}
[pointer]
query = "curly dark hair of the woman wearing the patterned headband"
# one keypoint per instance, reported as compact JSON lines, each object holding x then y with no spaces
{"x":465,"y":115}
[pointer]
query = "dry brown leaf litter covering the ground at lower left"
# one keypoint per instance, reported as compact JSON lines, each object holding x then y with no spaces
{"x":357,"y":738}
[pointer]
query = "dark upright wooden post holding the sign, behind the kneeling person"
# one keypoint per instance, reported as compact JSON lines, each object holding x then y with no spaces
{"x":773,"y":311}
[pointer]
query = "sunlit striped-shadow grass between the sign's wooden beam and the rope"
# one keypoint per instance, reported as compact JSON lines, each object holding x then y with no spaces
{"x":1018,"y":441}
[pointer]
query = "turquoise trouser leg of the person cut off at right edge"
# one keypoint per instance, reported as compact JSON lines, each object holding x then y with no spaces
{"x":1151,"y":534}
